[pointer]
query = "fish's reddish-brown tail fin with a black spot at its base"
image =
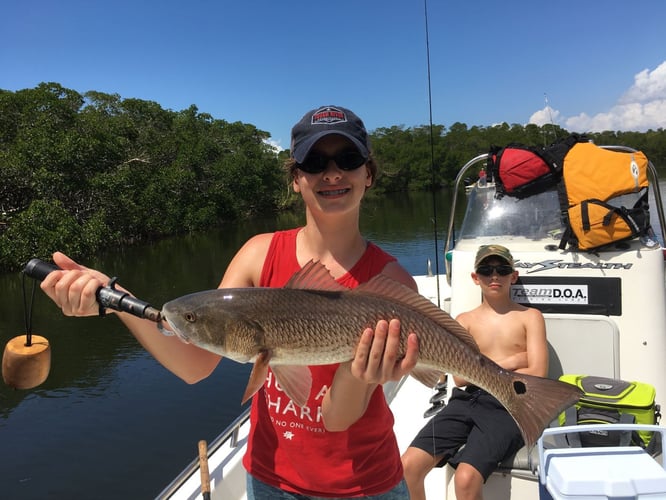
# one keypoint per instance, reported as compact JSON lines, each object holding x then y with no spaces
{"x":537,"y":401}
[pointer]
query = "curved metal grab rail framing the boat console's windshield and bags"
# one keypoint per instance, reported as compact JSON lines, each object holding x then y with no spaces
{"x":463,"y":175}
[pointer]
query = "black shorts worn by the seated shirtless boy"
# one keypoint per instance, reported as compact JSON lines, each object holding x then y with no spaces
{"x":478,"y":421}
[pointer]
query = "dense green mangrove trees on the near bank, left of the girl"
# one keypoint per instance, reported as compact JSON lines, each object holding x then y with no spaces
{"x":82,"y":172}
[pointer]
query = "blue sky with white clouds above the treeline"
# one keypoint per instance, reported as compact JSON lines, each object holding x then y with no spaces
{"x":600,"y":64}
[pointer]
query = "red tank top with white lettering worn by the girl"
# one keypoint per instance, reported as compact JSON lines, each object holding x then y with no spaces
{"x":288,"y":446}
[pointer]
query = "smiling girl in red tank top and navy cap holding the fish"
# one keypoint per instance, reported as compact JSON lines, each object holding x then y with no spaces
{"x":339,"y":441}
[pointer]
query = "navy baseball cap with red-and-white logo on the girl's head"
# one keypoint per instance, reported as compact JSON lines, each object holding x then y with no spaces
{"x":327,"y":120}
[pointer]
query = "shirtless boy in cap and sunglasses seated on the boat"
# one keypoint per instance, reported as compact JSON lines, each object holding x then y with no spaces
{"x":512,"y":335}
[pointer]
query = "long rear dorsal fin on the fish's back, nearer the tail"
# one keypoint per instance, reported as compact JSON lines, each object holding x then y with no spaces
{"x":386,"y":287}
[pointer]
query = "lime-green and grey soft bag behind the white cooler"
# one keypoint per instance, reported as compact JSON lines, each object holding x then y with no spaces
{"x":608,"y":401}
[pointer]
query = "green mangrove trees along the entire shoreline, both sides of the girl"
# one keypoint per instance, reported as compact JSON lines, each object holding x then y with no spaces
{"x":85,"y":172}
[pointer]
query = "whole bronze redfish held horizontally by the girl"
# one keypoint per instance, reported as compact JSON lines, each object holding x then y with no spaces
{"x":316,"y":321}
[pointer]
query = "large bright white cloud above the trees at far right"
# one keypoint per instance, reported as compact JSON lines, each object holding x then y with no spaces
{"x":641,"y":107}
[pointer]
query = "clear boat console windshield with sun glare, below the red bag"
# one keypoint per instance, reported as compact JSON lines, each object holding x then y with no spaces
{"x":535,"y":217}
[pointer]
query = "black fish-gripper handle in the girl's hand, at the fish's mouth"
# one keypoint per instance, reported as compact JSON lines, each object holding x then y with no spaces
{"x":108,"y":297}
